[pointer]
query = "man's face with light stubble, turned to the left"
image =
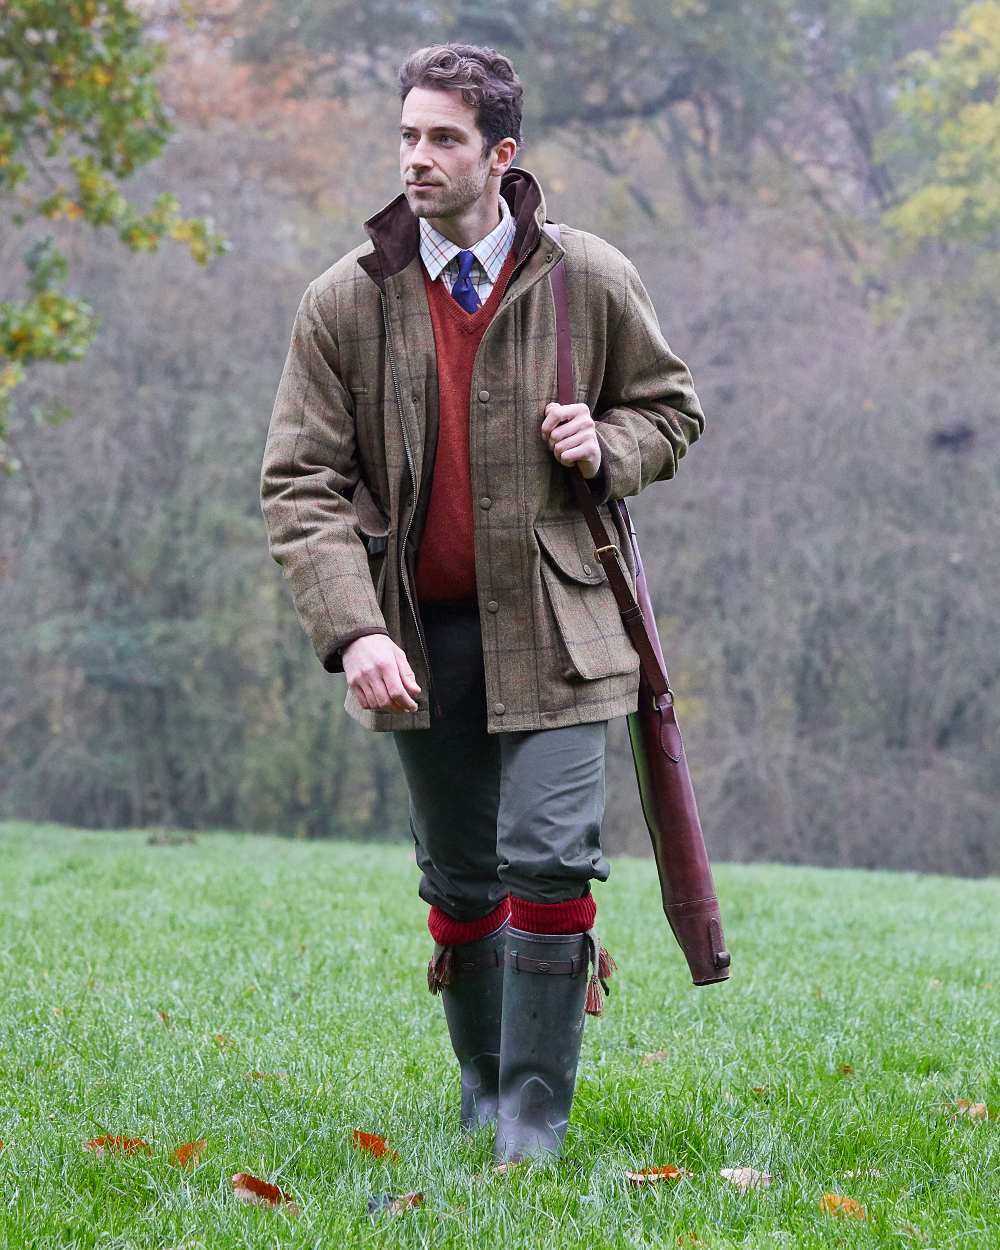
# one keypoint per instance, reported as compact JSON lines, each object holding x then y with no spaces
{"x":441,"y":153}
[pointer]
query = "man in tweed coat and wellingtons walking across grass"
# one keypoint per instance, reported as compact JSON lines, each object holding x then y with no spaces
{"x":416,"y":488}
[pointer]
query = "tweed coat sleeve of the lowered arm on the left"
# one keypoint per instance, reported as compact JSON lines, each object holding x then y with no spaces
{"x":308,"y":477}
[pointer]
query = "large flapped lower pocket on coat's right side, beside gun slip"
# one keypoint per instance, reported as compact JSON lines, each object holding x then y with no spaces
{"x":583,"y":603}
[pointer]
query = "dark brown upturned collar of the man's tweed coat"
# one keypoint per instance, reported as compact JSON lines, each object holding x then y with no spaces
{"x":396,"y":231}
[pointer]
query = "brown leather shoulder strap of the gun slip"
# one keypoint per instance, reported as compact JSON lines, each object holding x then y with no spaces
{"x":604,"y":549}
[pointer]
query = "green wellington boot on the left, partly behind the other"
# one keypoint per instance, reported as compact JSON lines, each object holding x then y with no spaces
{"x":471,"y":981}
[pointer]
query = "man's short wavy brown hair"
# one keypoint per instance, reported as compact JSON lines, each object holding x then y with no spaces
{"x":486,"y":78}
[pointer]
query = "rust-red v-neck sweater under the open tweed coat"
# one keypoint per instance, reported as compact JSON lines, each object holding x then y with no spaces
{"x":447,"y":563}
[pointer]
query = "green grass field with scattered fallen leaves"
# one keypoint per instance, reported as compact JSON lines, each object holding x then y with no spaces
{"x":312,"y":959}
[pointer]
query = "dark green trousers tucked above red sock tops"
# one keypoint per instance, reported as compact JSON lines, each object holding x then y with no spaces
{"x":493,"y":814}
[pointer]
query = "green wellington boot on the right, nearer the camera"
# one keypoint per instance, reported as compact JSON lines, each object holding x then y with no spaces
{"x":546,"y":996}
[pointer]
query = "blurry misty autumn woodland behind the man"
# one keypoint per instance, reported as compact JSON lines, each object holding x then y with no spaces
{"x":812,"y":193}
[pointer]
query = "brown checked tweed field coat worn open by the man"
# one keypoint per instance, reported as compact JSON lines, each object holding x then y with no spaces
{"x":351,"y":449}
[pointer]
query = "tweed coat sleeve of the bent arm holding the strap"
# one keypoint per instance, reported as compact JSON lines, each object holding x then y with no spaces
{"x":648,"y":413}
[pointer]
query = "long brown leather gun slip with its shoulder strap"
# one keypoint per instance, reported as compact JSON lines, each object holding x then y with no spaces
{"x":666,"y":789}
